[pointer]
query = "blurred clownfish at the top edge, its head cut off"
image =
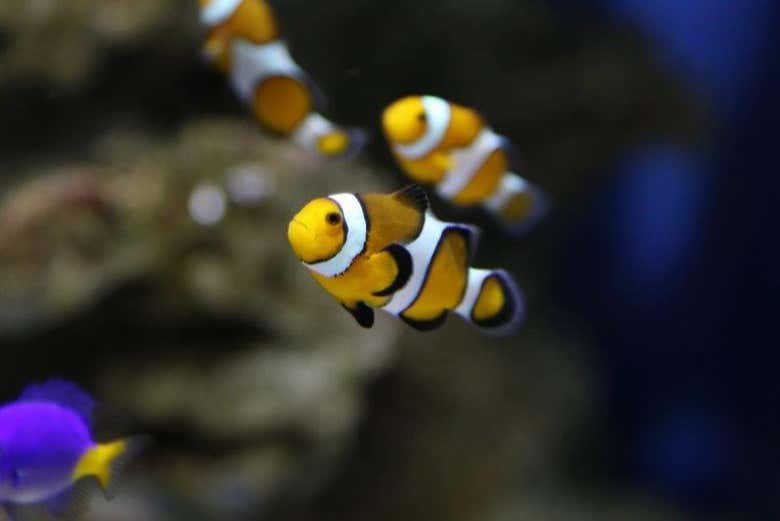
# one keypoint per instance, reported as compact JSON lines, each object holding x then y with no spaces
{"x":243,"y":41}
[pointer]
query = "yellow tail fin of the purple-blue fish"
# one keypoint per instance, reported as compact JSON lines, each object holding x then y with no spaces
{"x":106,"y":461}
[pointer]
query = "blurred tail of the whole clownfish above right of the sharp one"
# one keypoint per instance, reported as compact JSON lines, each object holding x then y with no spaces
{"x":517,"y":204}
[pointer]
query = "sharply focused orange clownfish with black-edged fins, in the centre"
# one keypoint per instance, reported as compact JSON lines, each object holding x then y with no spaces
{"x":388,"y":251}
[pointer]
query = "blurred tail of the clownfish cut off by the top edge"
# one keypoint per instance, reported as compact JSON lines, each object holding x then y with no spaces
{"x":326,"y":139}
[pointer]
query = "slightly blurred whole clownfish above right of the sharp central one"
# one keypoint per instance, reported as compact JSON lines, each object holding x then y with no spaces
{"x":450,"y":146}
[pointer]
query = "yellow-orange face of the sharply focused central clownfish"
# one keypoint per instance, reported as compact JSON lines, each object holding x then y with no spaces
{"x":318,"y":232}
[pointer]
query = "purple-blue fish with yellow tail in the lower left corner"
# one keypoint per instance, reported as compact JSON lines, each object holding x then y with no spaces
{"x":48,"y":455}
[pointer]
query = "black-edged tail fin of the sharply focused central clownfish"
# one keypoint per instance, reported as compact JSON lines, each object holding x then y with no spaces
{"x":492,"y":301}
